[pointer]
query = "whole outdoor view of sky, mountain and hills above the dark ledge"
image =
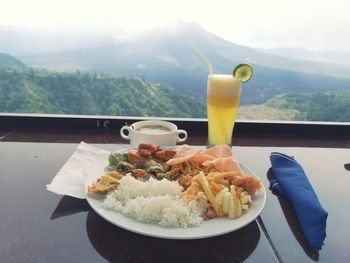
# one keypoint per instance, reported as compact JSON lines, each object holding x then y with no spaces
{"x":135,"y":58}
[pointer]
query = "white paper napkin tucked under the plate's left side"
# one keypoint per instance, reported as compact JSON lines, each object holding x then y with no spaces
{"x":70,"y":180}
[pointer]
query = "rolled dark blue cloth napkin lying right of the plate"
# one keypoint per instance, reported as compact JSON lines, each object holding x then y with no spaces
{"x":292,"y":183}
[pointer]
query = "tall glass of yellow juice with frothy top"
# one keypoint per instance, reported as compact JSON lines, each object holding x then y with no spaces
{"x":223,"y":96}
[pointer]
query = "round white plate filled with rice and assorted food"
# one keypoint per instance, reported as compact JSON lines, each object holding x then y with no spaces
{"x":179,"y":193}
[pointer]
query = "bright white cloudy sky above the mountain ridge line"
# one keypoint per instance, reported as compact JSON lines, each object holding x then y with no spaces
{"x":313,"y":24}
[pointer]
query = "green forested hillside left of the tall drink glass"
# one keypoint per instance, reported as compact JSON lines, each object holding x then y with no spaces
{"x":41,"y":91}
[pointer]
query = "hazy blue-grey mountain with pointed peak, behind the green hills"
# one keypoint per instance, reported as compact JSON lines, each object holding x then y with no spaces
{"x":164,"y":56}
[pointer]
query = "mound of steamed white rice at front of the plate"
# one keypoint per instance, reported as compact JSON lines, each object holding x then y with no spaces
{"x":154,"y":201}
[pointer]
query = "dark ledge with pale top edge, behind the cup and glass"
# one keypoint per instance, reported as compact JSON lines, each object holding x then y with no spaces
{"x":198,"y":126}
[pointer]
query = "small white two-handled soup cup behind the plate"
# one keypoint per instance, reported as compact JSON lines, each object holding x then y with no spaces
{"x":167,"y":137}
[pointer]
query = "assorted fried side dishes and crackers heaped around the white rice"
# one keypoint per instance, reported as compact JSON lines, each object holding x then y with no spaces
{"x":211,"y":177}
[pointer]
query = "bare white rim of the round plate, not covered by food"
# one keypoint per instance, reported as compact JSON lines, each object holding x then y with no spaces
{"x":214,"y":227}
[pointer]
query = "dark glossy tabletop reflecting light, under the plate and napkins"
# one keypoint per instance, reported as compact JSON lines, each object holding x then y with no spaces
{"x":39,"y":226}
